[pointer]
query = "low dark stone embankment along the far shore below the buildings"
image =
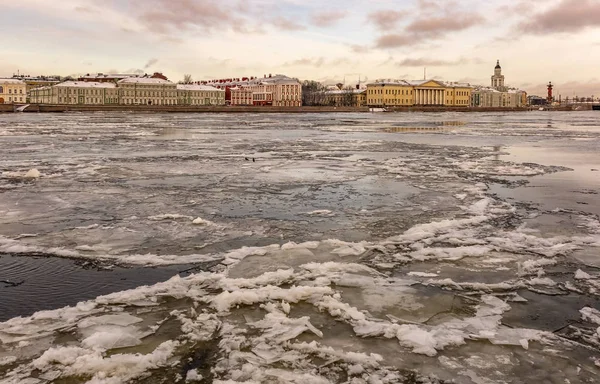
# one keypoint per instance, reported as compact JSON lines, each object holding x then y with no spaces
{"x":53,"y":108}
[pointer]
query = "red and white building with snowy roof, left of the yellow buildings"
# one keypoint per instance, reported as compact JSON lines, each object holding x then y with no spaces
{"x":277,"y":91}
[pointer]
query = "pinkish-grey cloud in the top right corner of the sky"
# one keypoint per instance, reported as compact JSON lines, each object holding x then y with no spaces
{"x":566,"y":16}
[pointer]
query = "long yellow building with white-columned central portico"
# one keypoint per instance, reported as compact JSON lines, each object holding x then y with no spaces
{"x":402,"y":93}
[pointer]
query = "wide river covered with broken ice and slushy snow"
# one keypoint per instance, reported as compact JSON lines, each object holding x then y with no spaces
{"x":291,"y":248}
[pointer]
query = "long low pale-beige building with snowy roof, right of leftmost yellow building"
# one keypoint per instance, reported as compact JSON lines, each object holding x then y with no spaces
{"x":76,"y":92}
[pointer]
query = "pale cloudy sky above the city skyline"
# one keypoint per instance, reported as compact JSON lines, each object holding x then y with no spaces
{"x":328,"y":41}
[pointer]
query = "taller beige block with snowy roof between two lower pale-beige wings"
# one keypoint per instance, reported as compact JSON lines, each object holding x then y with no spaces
{"x":147,"y":91}
